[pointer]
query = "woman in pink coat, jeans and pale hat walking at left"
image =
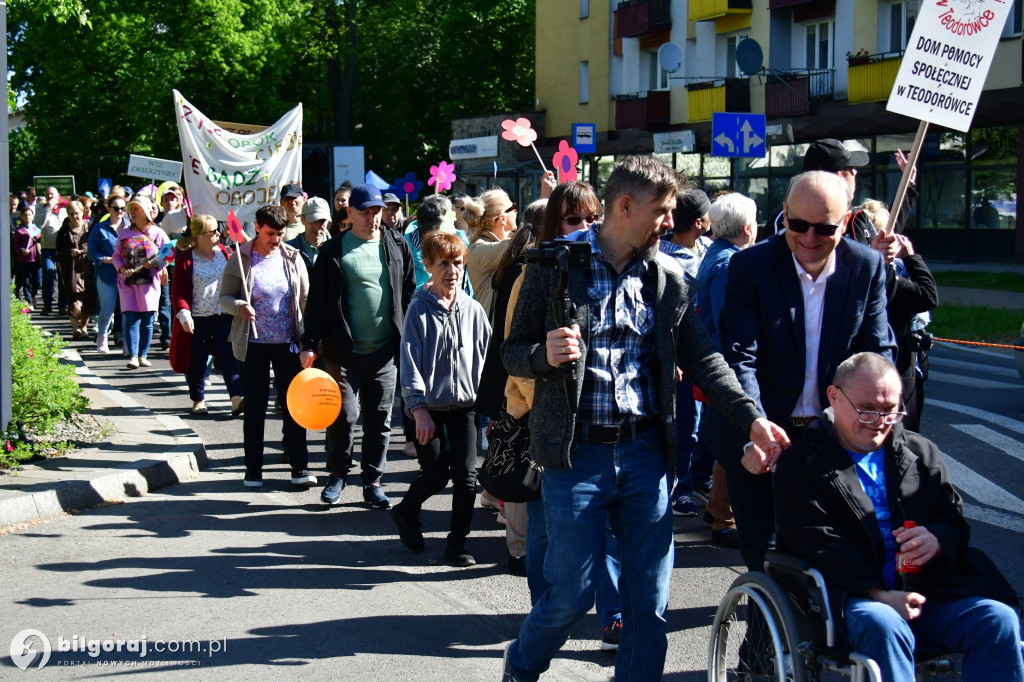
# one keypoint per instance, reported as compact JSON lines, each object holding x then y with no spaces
{"x":139,"y":284}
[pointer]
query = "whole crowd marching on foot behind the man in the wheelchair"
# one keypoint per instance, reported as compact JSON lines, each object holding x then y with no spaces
{"x":442,"y":311}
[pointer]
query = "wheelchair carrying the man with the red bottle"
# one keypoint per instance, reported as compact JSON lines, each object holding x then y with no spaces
{"x":779,"y":626}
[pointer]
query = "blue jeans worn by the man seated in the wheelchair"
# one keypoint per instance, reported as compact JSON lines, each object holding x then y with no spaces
{"x":987,"y":632}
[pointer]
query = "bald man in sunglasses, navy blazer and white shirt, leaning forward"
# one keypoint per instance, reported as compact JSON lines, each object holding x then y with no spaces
{"x":796,"y":307}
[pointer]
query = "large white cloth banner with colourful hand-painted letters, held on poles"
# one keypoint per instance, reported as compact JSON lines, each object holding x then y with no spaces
{"x":227,"y":172}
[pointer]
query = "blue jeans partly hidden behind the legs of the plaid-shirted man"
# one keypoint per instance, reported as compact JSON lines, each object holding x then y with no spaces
{"x":610,"y":609}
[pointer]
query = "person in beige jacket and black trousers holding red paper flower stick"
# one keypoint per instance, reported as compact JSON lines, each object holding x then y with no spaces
{"x":265,"y":287}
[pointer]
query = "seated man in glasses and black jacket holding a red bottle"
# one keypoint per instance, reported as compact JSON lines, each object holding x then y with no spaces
{"x":842,"y":496}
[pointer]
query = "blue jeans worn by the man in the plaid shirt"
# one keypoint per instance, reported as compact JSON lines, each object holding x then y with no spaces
{"x":627,"y":484}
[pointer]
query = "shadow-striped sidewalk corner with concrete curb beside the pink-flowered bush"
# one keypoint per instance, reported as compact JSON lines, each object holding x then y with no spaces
{"x":146,"y":452}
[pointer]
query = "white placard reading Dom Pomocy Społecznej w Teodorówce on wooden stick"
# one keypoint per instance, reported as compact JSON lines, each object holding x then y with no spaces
{"x":947,"y":61}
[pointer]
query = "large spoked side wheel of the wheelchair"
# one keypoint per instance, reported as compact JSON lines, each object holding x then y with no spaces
{"x":755,"y":635}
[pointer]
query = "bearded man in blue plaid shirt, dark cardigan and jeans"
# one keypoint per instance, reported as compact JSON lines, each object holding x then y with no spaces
{"x":608,"y":441}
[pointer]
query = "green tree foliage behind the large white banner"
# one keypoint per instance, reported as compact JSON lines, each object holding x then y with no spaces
{"x":389,"y":76}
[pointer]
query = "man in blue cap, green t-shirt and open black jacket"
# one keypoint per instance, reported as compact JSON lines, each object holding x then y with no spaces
{"x":362,"y":284}
